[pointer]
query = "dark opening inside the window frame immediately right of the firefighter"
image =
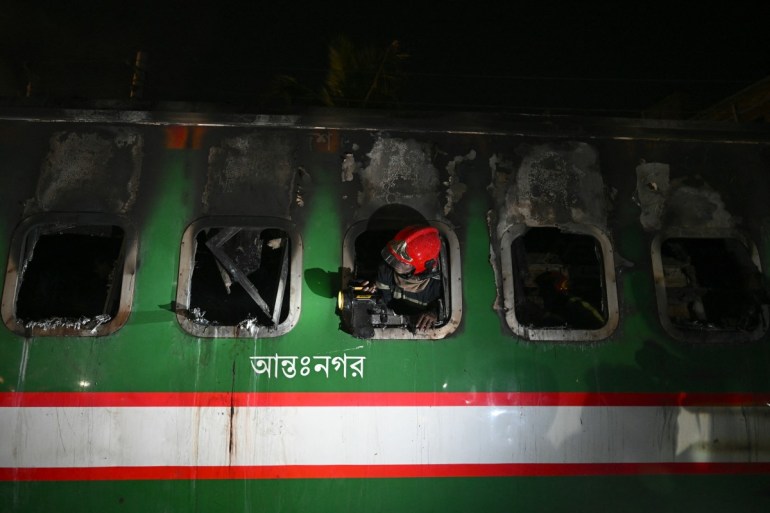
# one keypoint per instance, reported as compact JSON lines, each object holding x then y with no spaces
{"x":558,"y":280}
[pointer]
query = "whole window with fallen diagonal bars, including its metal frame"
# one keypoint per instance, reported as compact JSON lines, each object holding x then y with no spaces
{"x":239,"y":277}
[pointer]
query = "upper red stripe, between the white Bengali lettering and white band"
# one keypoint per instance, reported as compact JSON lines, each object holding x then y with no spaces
{"x":278,"y":399}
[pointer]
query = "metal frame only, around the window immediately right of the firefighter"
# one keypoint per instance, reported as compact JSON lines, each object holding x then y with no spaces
{"x":559,"y":334}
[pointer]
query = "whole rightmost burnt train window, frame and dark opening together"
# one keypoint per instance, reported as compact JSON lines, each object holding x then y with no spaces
{"x":710,"y":287}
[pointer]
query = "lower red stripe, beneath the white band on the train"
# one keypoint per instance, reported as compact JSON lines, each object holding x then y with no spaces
{"x":375,"y":471}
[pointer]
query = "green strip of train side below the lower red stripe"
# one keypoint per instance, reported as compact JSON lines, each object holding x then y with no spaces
{"x":659,"y":493}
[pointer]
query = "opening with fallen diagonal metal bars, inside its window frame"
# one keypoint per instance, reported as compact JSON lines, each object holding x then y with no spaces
{"x":240,"y":277}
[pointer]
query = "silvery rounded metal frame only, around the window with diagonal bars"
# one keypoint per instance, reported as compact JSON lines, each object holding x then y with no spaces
{"x":187,"y":263}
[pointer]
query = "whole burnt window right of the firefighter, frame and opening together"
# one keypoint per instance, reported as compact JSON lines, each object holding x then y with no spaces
{"x":539,"y":303}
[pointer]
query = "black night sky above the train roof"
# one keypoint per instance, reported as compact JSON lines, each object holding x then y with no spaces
{"x":598,"y":58}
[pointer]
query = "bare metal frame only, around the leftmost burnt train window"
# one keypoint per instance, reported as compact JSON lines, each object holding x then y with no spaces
{"x":14,"y":273}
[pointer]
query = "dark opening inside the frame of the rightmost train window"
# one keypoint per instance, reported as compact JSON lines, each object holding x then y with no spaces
{"x":712,"y":284}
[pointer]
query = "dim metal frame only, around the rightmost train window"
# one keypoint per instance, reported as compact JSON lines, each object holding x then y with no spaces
{"x":694,"y":334}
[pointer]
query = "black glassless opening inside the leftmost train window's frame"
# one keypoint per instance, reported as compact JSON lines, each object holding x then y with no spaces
{"x":71,"y":273}
